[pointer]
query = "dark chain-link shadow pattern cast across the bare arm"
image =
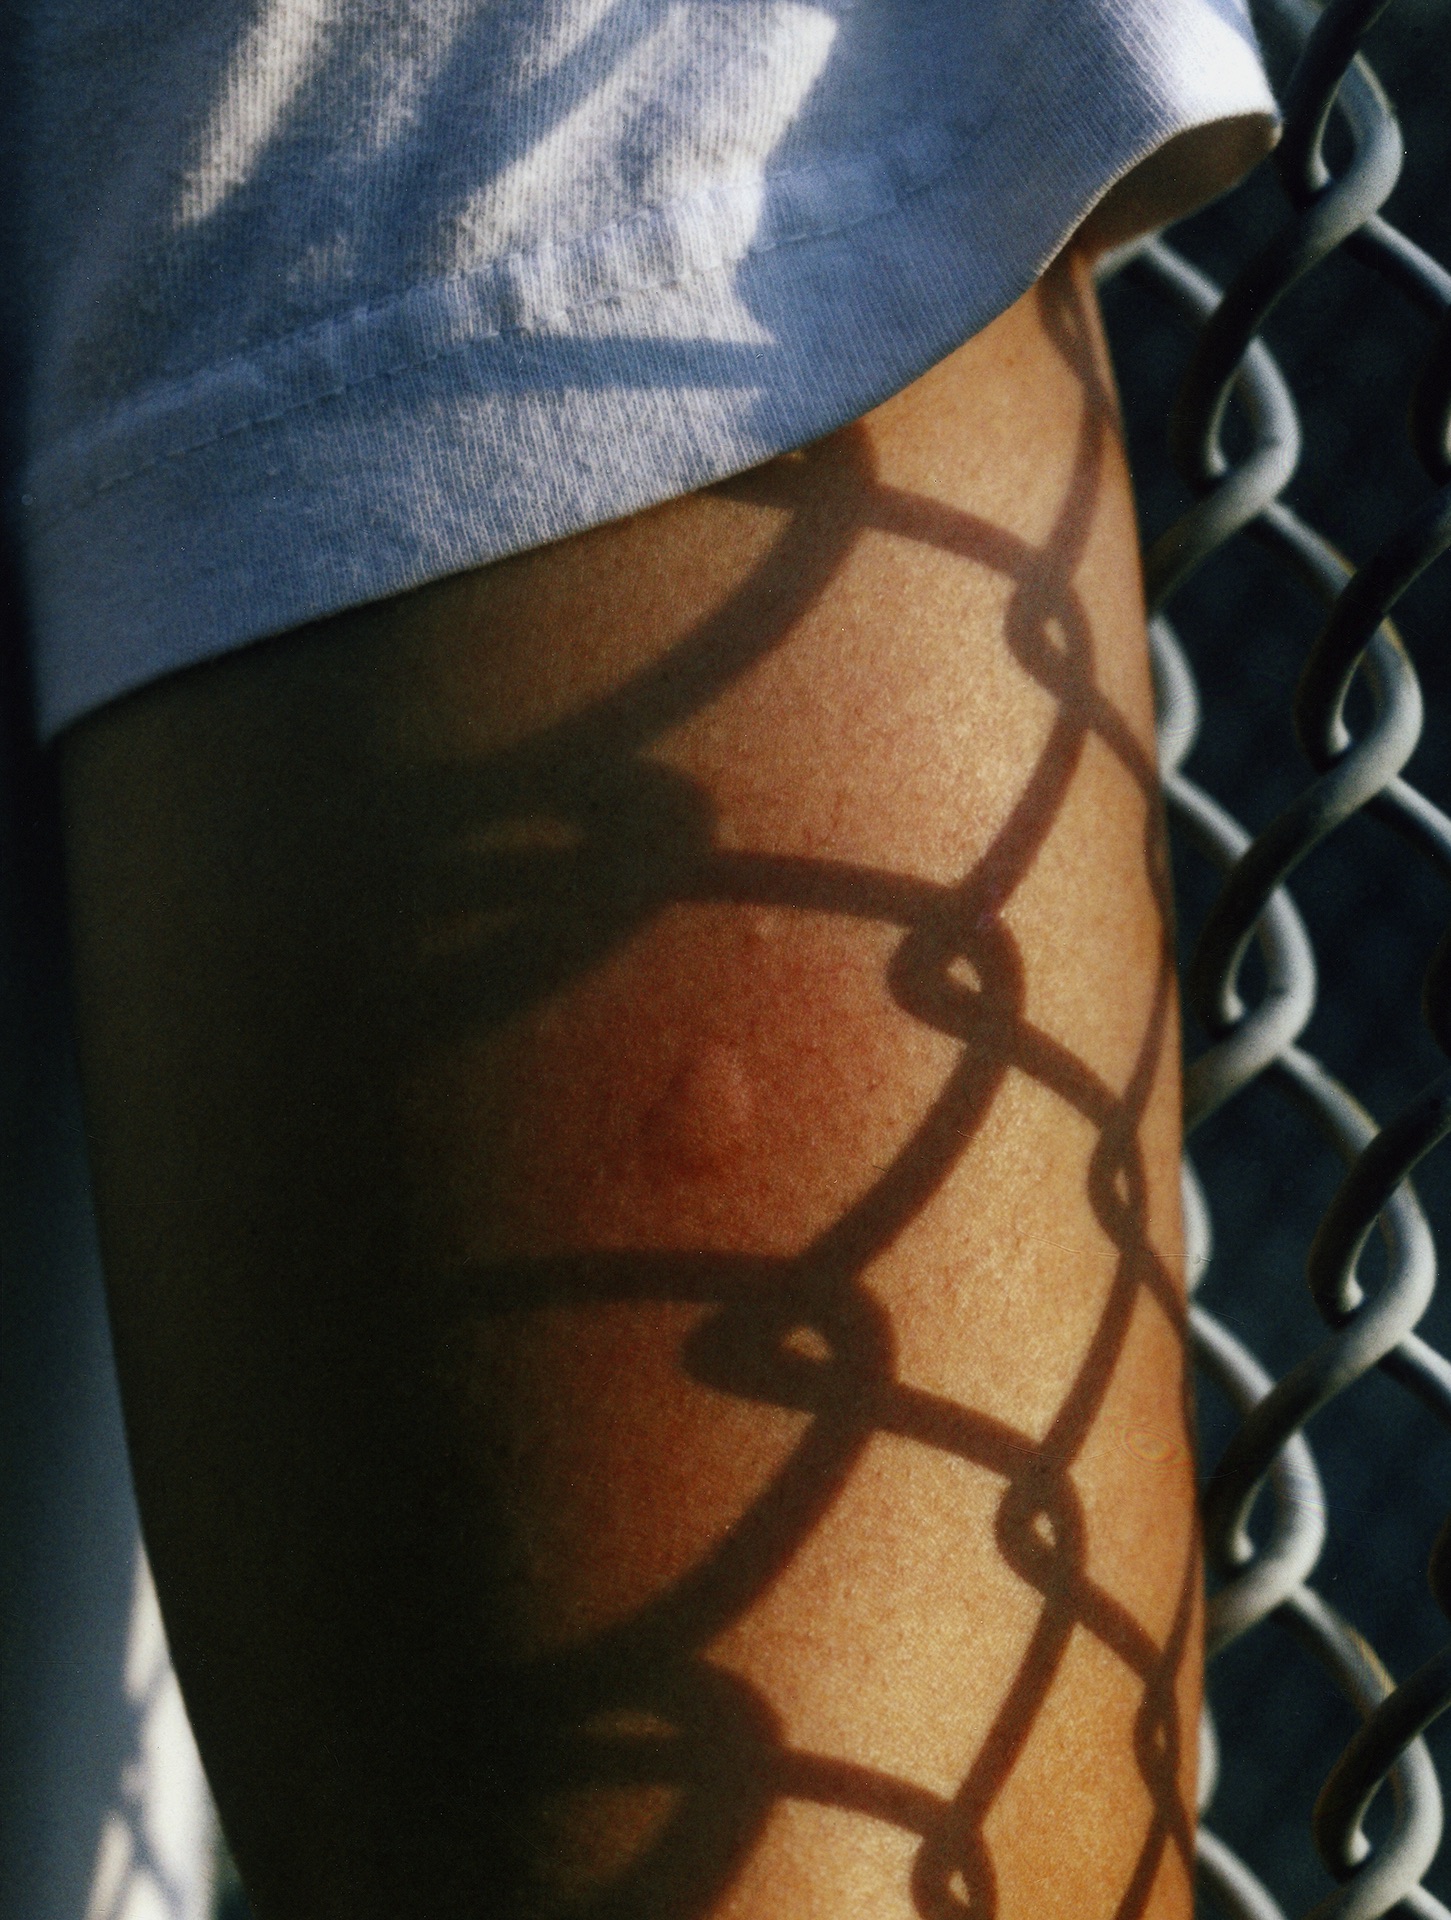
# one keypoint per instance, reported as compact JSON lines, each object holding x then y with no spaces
{"x":563,"y":850}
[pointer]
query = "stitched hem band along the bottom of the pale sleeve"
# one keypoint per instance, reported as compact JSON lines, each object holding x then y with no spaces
{"x":475,"y":420}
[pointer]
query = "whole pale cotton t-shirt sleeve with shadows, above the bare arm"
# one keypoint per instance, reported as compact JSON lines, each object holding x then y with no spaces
{"x":327,"y":299}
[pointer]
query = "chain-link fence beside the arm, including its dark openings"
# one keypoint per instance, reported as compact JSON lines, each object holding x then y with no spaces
{"x":1254,"y":577}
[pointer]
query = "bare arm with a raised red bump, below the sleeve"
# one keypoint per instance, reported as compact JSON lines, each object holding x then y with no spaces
{"x":634,"y":1103}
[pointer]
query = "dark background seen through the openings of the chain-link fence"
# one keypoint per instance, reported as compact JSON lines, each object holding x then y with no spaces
{"x":1350,"y":348}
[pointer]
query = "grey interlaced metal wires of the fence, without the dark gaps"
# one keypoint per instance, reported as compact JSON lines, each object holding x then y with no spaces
{"x":1266,"y":1512}
